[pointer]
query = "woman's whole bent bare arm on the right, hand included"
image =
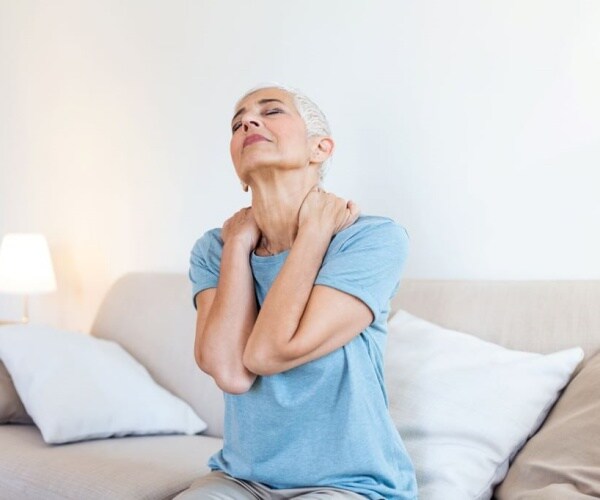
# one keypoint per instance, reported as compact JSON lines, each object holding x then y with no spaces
{"x":298,"y":321}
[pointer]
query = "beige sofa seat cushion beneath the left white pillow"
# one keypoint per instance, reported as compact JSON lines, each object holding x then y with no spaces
{"x":141,"y":467}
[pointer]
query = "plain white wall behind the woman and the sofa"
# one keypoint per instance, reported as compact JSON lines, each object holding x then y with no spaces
{"x":474,"y":124}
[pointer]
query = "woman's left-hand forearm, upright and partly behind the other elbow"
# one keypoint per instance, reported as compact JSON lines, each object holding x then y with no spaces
{"x":231,"y":319}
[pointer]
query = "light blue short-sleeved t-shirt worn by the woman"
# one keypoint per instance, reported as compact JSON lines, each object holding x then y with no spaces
{"x":326,"y":422}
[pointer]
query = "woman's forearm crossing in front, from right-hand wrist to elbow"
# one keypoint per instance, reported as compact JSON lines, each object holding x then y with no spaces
{"x":273,"y":334}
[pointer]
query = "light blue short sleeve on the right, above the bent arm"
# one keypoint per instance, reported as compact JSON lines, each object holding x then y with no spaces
{"x":368,"y":265}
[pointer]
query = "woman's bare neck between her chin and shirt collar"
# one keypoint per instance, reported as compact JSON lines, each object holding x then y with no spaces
{"x":276,"y":202}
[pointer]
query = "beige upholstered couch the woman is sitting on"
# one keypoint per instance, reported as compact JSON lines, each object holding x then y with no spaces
{"x":151,"y":315}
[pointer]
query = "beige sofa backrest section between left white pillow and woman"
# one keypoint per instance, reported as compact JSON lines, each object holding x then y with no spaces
{"x":152,"y":316}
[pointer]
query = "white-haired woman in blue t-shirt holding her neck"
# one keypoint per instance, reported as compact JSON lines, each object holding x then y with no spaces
{"x":292,"y":297}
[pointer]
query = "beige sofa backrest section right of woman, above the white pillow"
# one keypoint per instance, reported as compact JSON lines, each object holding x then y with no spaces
{"x":537,"y":316}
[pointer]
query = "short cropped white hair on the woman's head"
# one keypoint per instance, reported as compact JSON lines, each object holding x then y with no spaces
{"x":314,"y":119}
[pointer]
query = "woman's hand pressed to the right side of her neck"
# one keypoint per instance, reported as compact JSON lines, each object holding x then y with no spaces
{"x":327,"y":211}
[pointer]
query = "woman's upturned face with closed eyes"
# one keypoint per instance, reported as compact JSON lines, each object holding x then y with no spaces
{"x":268,"y":131}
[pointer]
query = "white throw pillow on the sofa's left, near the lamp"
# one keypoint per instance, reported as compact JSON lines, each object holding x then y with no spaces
{"x":76,"y":387}
